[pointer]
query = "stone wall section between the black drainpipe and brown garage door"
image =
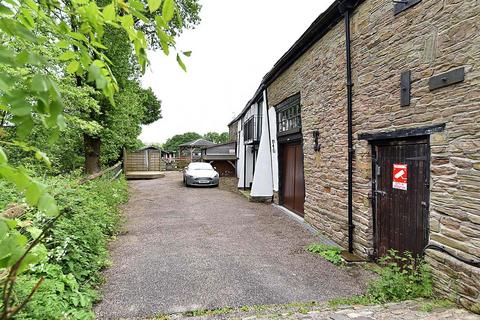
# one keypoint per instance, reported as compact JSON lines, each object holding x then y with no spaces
{"x":319,"y":76}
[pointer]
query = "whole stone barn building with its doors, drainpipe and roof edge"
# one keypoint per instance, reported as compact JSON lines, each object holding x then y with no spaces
{"x":373,"y":120}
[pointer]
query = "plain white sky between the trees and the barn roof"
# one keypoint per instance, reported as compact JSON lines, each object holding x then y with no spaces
{"x":235,"y":45}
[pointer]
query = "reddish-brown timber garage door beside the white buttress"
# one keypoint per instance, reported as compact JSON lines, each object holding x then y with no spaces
{"x":292,"y":183}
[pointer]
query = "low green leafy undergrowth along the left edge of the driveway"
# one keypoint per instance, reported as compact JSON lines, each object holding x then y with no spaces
{"x":77,"y":248}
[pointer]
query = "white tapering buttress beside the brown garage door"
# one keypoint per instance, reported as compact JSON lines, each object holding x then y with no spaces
{"x":262,"y":182}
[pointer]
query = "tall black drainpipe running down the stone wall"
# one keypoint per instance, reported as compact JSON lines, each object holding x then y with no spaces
{"x":347,"y":9}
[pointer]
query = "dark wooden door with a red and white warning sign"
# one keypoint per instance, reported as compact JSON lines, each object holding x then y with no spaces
{"x":401,"y":187}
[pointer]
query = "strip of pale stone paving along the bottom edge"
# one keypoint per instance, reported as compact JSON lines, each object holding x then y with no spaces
{"x":408,"y":310}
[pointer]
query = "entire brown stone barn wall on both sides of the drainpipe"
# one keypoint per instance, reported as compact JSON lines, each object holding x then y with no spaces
{"x":429,"y":38}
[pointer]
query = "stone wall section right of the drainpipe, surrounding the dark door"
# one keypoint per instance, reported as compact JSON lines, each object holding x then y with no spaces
{"x":431,"y":38}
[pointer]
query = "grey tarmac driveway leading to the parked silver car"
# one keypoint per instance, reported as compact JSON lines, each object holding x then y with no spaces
{"x":196,"y":248}
